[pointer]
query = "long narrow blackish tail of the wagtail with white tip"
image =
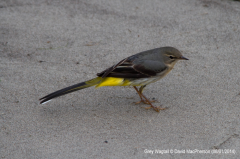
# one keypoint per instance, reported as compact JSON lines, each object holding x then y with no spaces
{"x":70,"y":89}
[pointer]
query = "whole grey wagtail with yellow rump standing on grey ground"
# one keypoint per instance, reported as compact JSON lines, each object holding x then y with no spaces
{"x":140,"y":69}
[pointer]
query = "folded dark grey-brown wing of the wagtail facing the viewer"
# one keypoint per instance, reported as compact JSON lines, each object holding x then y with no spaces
{"x":134,"y":68}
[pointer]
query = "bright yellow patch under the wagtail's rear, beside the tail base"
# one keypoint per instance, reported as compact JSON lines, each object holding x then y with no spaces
{"x":113,"y":81}
